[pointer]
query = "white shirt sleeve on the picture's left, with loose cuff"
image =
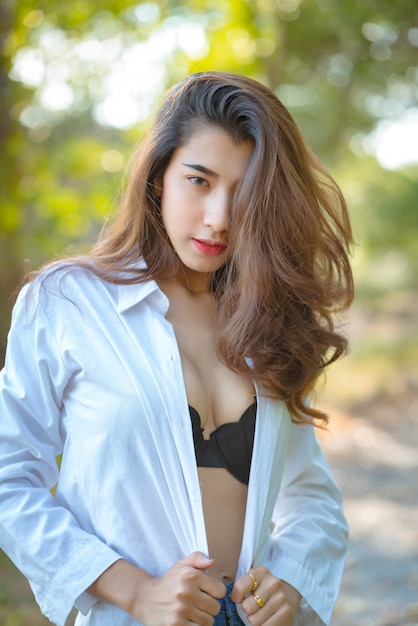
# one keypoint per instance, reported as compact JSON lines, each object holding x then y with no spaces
{"x":42,"y":538}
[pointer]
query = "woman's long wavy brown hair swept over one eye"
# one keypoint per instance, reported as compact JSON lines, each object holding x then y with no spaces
{"x":289,"y":272}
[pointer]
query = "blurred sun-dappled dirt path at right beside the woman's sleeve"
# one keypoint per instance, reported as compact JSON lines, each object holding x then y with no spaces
{"x":374,"y":455}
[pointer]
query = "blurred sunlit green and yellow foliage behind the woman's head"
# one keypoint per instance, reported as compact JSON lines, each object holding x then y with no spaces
{"x":340,"y":67}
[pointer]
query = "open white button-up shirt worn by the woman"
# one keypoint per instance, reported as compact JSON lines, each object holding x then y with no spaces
{"x":93,"y":373}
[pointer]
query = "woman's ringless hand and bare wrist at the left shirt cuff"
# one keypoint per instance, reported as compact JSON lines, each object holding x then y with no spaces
{"x":185,"y":594}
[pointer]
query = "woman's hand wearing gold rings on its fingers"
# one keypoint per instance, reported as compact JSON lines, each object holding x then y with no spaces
{"x":266,"y":598}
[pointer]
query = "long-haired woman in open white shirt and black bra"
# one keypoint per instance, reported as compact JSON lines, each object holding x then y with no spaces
{"x":172,"y":369}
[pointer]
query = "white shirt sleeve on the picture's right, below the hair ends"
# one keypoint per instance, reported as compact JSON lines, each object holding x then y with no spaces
{"x":309,"y":530}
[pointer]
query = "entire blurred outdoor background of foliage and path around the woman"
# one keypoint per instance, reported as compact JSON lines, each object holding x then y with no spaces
{"x":78,"y":84}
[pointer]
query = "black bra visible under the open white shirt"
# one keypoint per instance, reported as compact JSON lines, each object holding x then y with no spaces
{"x":229,"y":446}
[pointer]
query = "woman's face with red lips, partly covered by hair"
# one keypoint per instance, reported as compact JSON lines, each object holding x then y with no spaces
{"x":196,"y":197}
